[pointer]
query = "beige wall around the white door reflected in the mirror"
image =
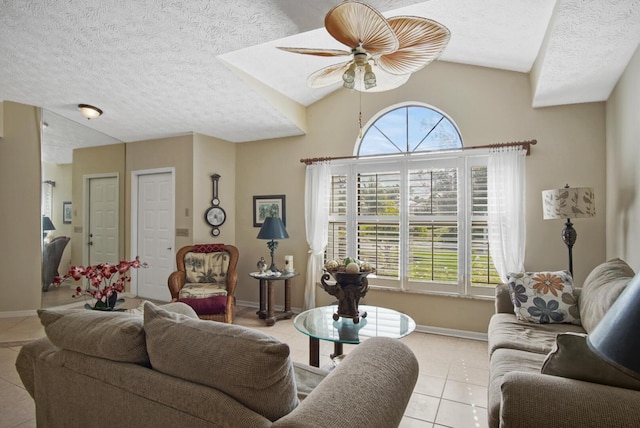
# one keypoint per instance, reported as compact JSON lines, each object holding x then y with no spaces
{"x":92,"y":162}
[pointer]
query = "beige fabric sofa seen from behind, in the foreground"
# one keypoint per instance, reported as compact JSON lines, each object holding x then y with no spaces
{"x":169,"y":369}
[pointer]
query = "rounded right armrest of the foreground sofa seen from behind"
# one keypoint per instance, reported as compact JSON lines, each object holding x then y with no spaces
{"x":370,"y":388}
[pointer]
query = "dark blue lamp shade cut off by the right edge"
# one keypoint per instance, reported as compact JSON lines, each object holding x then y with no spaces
{"x":615,"y":338}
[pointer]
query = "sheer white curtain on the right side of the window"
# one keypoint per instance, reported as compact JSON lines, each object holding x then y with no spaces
{"x":506,"y":200}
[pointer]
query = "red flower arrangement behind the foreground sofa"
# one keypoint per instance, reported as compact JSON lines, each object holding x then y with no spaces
{"x":105,"y":280}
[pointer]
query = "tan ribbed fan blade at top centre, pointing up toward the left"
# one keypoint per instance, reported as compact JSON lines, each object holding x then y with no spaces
{"x":353,"y":24}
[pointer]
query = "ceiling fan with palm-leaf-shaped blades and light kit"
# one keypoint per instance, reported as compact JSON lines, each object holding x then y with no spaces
{"x":394,"y":48}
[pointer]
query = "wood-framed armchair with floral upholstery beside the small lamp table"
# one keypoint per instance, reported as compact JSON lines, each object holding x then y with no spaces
{"x":206,"y":280}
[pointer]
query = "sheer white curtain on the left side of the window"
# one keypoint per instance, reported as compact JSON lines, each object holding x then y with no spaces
{"x":316,"y":215}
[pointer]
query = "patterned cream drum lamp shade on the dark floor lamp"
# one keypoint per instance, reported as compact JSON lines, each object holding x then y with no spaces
{"x":568,"y":202}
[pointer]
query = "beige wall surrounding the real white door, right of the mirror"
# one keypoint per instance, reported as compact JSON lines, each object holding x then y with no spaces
{"x":173,"y":152}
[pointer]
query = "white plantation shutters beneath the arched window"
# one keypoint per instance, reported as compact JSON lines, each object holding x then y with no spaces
{"x":421,"y":223}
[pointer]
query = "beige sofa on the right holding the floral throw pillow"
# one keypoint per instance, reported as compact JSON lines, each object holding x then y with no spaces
{"x":545,"y":375}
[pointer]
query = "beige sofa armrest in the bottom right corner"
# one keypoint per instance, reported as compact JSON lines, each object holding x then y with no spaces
{"x":540,"y":401}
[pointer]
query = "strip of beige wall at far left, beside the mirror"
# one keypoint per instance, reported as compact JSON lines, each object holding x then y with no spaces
{"x":20,"y":220}
